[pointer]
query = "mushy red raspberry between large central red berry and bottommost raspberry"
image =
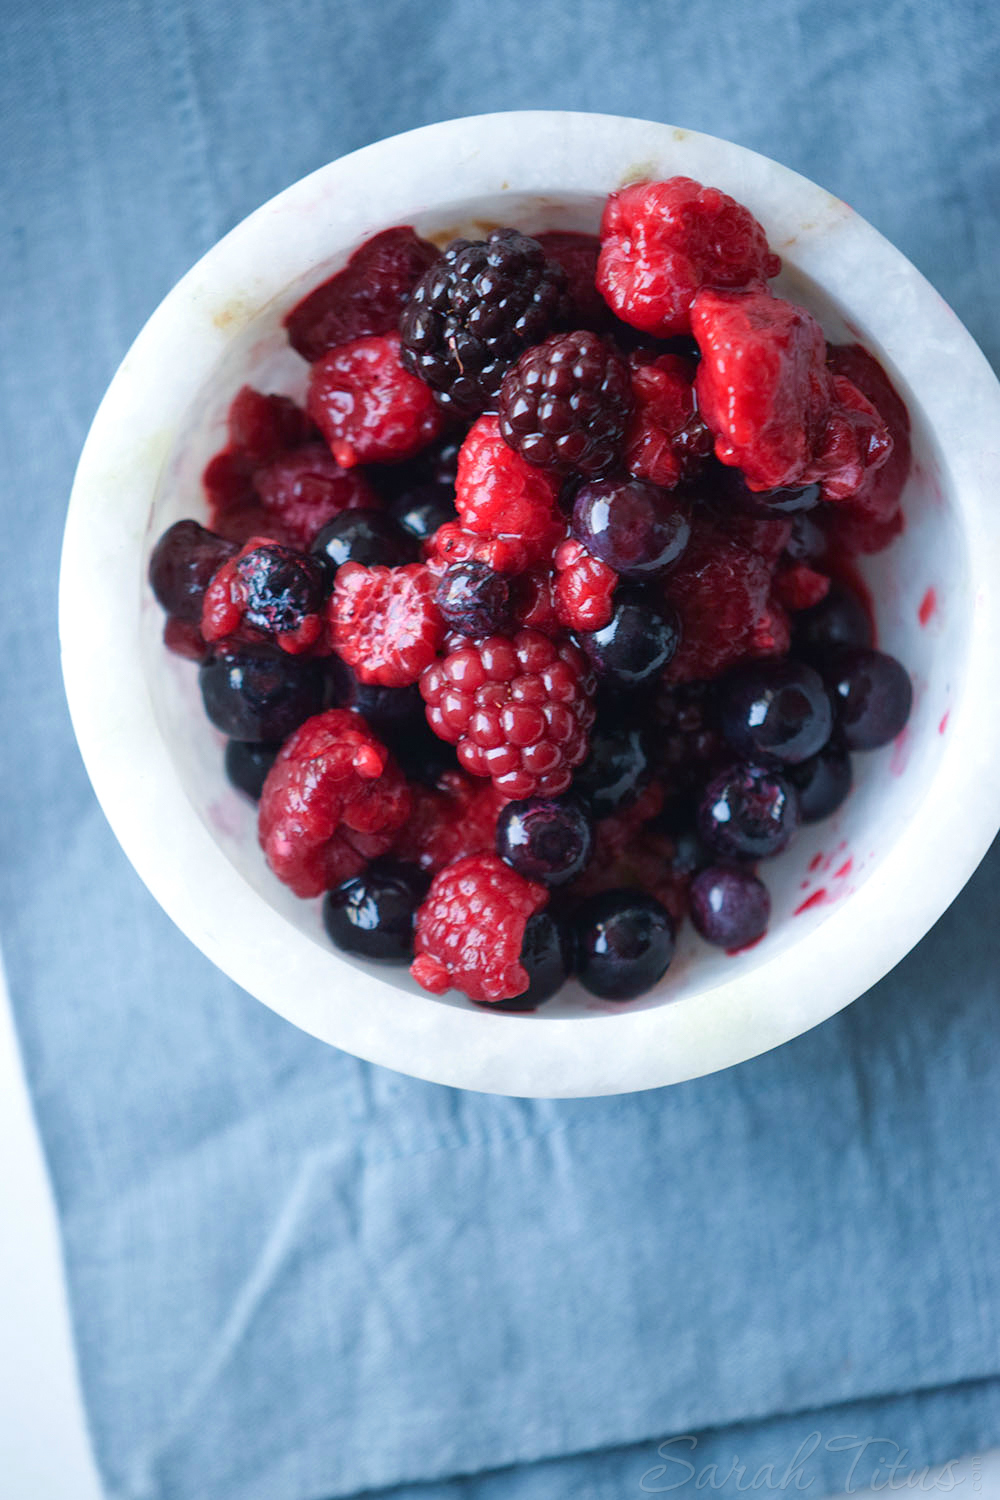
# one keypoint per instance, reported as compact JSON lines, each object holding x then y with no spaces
{"x":451,"y":820}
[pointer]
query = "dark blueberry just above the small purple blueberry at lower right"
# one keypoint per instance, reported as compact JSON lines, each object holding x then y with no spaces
{"x":749,"y":812}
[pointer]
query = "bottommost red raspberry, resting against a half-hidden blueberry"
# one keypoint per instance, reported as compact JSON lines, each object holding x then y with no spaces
{"x":472,"y":929}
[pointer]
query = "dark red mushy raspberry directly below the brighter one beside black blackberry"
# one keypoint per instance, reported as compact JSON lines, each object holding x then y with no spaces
{"x":302,"y":491}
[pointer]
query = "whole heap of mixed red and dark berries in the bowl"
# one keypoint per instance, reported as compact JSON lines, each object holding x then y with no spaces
{"x":534,"y":632}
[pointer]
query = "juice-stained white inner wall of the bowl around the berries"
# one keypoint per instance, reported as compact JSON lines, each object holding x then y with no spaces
{"x":920,"y":586}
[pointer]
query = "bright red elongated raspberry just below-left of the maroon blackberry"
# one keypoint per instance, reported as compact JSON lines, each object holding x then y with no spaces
{"x":499,"y":494}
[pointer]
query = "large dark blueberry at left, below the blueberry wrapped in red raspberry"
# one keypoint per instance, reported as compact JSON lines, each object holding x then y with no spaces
{"x":260,"y":694}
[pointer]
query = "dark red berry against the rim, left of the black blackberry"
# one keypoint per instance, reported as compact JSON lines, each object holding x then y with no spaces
{"x":367,"y":298}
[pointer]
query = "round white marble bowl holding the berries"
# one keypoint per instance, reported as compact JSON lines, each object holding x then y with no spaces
{"x":851,"y":898}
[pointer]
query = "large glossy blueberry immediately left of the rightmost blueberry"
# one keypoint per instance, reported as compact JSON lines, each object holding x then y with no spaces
{"x":776,"y":710}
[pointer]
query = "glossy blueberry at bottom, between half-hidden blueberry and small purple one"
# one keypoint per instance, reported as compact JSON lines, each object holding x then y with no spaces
{"x":624,"y":944}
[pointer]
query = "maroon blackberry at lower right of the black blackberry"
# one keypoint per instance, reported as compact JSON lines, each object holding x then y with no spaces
{"x":566,"y":403}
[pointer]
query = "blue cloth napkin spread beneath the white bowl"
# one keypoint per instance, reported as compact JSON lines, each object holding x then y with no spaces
{"x":296,"y":1276}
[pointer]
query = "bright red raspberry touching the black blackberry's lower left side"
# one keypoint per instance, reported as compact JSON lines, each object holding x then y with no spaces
{"x":368,"y":407}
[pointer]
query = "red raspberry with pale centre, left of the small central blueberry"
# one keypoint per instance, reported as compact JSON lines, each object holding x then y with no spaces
{"x":385,"y":622}
